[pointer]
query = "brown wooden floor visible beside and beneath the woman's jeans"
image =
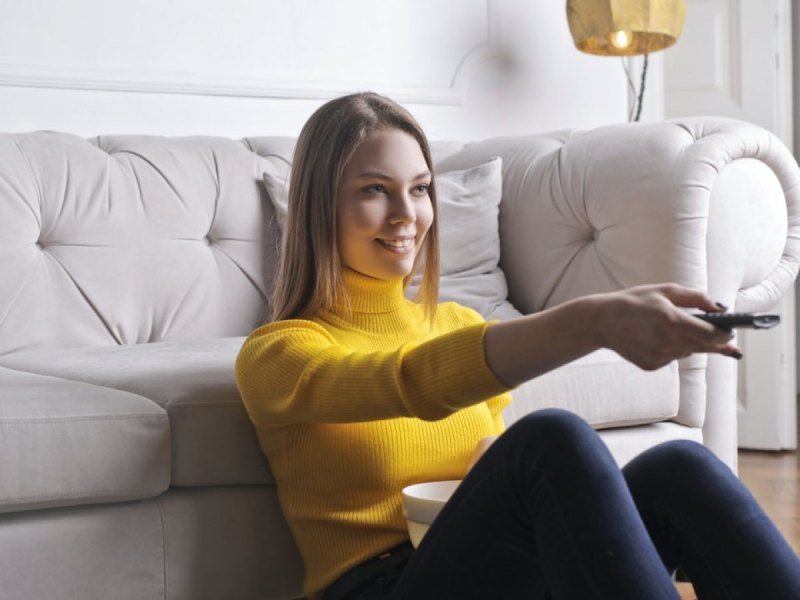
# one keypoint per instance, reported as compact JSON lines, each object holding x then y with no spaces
{"x":772,"y":477}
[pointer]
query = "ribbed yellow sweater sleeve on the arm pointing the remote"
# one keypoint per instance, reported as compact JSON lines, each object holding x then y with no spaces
{"x":293,"y":371}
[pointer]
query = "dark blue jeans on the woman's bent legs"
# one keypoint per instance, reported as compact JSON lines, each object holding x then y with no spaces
{"x":546,"y":513}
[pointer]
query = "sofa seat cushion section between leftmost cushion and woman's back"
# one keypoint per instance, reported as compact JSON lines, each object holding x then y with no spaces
{"x":213,"y":441}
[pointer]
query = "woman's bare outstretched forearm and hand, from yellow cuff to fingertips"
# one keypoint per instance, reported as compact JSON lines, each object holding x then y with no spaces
{"x":645,"y":325}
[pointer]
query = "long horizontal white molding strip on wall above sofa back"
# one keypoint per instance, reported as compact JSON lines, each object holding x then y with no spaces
{"x":156,"y":82}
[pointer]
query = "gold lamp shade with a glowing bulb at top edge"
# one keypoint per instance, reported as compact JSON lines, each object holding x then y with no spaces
{"x":625,"y":27}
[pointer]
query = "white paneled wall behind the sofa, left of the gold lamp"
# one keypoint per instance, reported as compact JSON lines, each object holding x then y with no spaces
{"x":260,"y":67}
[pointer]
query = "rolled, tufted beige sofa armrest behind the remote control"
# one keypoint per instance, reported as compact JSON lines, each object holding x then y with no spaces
{"x":710,"y":203}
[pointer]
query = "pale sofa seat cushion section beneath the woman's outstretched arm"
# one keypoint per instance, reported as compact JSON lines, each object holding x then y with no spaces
{"x":604,"y":389}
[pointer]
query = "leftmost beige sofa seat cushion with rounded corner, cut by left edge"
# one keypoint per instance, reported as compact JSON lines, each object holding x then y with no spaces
{"x":67,"y":443}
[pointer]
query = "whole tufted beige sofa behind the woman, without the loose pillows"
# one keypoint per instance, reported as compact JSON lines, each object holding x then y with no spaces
{"x":133,"y":266}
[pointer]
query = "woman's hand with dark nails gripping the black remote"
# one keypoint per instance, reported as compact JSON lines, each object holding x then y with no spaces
{"x":648,"y":326}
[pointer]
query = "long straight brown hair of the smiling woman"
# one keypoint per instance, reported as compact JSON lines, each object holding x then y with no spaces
{"x":310,"y":272}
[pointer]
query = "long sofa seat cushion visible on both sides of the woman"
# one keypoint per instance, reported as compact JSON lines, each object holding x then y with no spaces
{"x":214,"y":443}
